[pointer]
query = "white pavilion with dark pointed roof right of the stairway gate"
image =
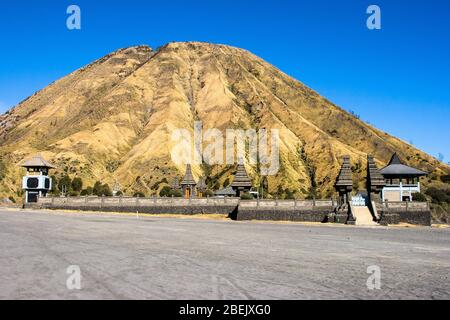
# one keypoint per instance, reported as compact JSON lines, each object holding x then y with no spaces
{"x":401,"y":181}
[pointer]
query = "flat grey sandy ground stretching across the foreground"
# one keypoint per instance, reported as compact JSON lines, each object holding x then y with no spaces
{"x":121,"y":257}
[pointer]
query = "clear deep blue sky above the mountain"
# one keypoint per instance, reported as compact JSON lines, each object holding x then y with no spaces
{"x":397,"y":78}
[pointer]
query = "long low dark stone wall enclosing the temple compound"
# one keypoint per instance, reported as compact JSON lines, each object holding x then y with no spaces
{"x":272,"y":210}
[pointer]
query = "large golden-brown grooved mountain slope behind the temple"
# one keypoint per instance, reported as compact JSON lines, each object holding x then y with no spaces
{"x":111,"y":120}
